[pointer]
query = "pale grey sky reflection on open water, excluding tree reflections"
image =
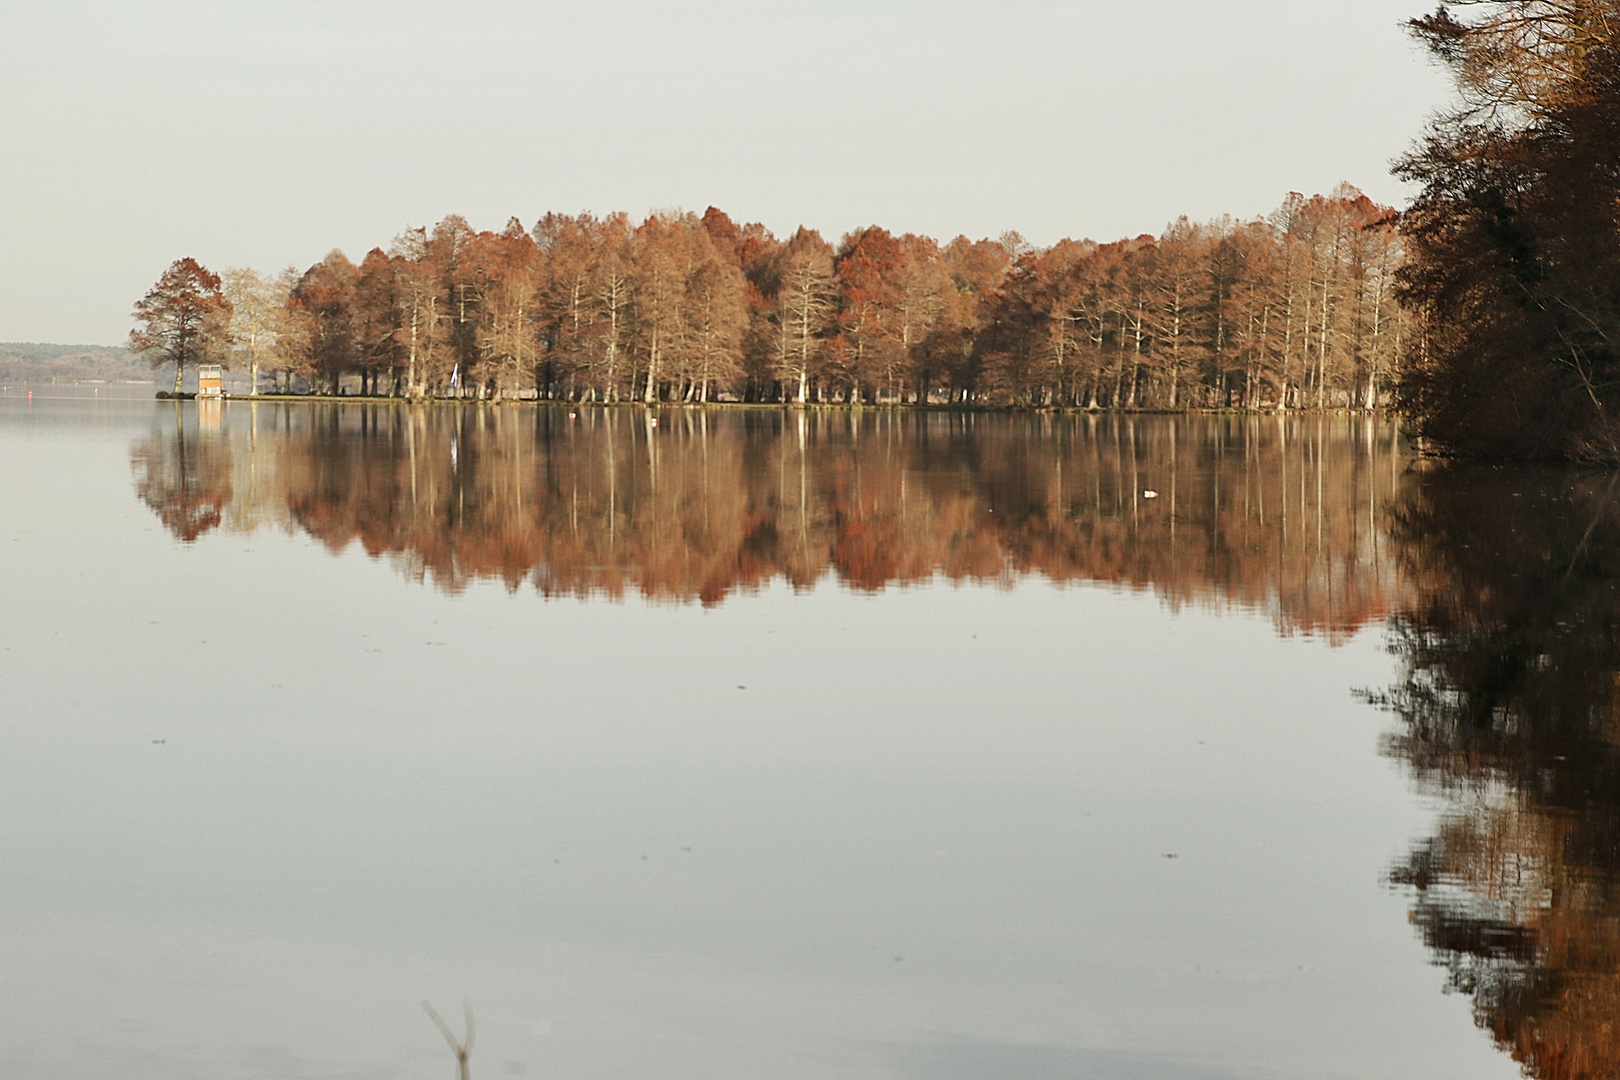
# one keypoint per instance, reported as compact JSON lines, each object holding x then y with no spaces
{"x":370,"y":794}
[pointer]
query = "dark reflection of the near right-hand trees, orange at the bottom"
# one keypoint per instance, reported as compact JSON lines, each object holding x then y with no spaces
{"x":1509,"y":707}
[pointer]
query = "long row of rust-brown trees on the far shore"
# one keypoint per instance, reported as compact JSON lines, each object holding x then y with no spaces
{"x":1295,"y":310}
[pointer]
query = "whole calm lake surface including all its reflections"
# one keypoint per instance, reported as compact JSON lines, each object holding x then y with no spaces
{"x":764,"y":744}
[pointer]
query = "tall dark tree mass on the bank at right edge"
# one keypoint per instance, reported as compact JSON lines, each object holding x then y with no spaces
{"x":1514,"y":242}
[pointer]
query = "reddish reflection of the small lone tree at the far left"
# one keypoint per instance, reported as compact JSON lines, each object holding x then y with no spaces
{"x":185,"y":475}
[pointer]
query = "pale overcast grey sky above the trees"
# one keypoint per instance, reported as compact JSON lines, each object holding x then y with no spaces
{"x":135,"y":132}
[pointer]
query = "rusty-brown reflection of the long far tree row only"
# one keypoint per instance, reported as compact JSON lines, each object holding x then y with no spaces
{"x":1273,"y":514}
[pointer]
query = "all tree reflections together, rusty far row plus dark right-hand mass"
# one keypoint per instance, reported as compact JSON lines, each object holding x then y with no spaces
{"x":1504,"y":589}
